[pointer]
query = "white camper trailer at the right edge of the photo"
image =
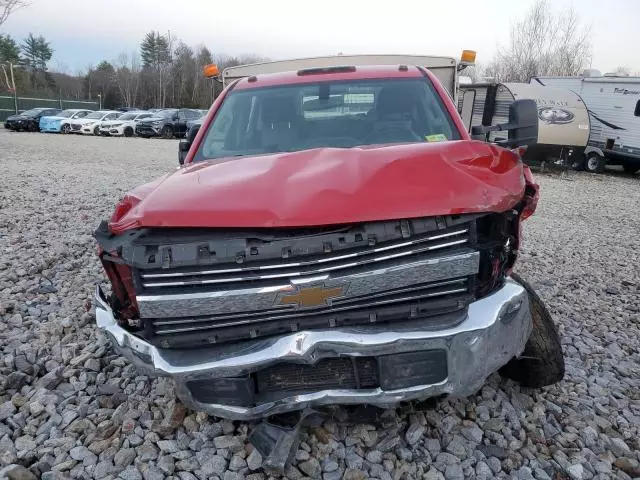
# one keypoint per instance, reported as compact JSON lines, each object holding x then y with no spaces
{"x":613,"y":104}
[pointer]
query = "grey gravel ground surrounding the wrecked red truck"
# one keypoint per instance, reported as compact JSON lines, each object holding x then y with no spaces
{"x":70,"y":408}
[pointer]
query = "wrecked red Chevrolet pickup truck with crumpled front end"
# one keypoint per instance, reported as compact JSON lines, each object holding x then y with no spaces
{"x":335,"y":236}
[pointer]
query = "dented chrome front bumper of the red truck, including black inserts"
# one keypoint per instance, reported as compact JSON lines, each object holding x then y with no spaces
{"x":415,"y":360}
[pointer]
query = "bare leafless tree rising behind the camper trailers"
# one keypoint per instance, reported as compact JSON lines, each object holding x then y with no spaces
{"x":543,"y":43}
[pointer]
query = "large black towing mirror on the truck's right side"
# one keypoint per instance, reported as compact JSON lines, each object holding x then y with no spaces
{"x":522,"y":127}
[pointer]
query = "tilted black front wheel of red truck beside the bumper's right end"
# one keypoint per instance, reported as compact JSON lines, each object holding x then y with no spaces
{"x":542,"y":362}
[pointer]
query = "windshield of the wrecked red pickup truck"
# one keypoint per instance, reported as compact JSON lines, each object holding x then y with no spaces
{"x":329,"y":114}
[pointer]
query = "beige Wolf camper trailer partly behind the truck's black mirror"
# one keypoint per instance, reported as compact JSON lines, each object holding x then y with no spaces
{"x":563,"y":121}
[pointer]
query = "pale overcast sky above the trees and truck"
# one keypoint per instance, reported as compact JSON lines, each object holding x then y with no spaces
{"x":84,"y":32}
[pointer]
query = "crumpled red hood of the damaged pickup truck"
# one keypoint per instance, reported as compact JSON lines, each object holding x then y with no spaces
{"x":329,"y":186}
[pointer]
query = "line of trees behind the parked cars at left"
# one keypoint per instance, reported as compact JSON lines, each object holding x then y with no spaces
{"x":165,"y":72}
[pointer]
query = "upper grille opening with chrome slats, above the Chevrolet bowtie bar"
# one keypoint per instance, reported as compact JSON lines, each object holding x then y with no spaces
{"x":338,"y":263}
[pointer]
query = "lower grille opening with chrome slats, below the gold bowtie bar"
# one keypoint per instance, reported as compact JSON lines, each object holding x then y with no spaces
{"x":416,"y":301}
